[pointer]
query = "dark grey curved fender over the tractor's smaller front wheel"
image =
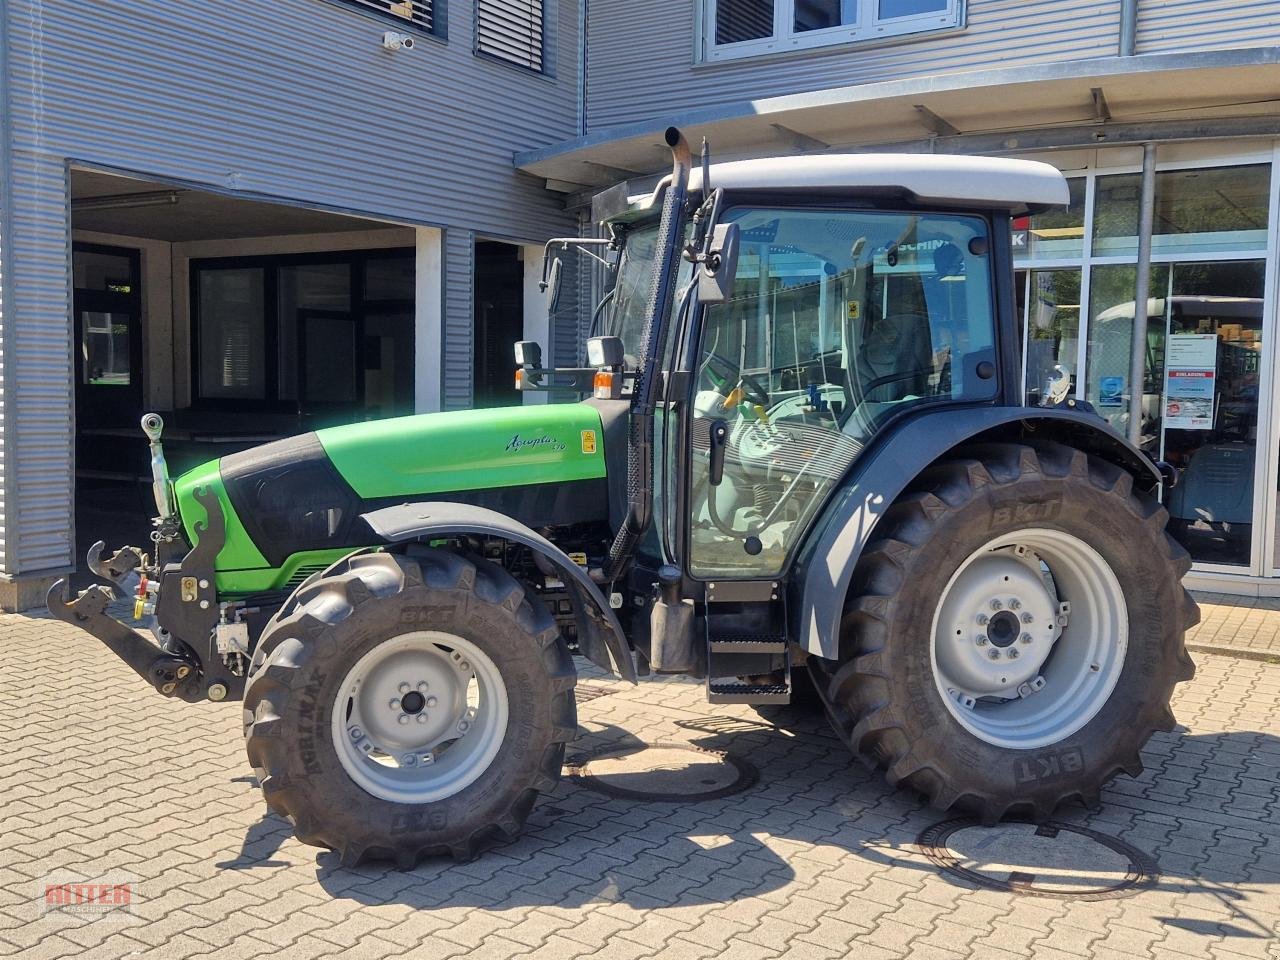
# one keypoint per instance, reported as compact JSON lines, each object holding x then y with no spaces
{"x":600,"y":636}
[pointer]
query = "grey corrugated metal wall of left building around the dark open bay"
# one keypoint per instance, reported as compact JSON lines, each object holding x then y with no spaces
{"x":294,"y":99}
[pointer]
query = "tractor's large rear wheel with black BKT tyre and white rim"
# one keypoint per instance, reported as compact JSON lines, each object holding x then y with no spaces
{"x":1014,"y":633}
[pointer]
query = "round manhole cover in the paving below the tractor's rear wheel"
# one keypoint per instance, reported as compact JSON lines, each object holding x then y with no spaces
{"x":1048,"y":861}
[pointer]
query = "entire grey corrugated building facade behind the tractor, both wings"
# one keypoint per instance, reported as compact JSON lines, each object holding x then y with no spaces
{"x":276,"y":216}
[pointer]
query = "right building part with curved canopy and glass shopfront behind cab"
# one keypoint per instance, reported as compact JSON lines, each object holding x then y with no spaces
{"x":1122,"y":95}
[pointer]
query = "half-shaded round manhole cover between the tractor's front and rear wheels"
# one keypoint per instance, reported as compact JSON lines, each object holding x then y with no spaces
{"x":665,"y":772}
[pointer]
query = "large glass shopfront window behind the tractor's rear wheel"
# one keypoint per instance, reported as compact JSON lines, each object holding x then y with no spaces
{"x":1203,"y":395}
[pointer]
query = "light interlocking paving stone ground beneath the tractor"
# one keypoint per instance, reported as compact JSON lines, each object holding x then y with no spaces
{"x":102,"y":778}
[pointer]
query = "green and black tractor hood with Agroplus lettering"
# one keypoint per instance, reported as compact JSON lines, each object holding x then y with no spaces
{"x":295,"y":505}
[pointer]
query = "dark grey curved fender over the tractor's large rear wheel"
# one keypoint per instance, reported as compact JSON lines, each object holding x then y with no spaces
{"x":825,"y":565}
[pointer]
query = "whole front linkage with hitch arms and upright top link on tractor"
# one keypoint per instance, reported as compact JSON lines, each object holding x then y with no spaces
{"x":180,"y":597}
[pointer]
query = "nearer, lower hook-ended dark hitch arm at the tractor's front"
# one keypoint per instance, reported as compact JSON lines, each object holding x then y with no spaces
{"x":170,"y":674}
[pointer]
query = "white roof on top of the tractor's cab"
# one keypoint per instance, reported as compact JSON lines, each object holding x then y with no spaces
{"x":952,"y":181}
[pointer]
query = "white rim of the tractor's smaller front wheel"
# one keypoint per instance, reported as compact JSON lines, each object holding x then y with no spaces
{"x":420,"y":717}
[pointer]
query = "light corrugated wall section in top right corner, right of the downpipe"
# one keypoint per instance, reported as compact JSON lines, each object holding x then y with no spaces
{"x":1206,"y":25}
